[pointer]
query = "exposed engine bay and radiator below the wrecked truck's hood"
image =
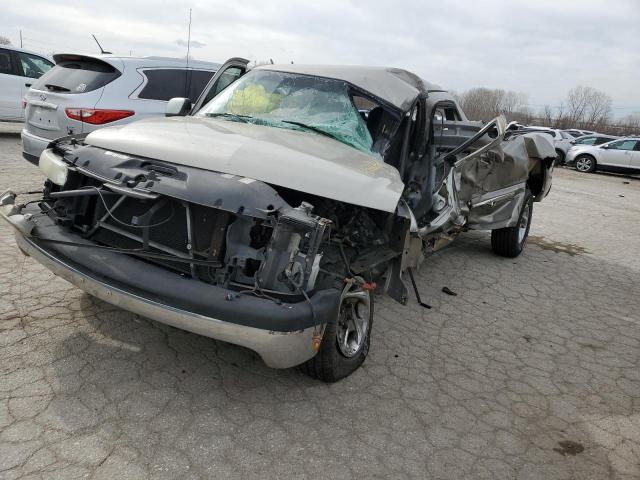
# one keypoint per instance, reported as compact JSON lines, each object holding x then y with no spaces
{"x":251,"y":241}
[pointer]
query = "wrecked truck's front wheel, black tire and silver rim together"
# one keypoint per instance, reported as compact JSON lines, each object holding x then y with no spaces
{"x":346,"y":339}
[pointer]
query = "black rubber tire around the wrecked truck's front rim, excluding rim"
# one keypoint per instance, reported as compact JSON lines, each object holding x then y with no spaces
{"x":329,"y":364}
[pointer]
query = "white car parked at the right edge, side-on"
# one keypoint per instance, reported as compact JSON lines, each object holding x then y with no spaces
{"x":622,"y":155}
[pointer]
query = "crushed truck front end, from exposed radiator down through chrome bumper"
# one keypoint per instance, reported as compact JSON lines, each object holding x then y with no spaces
{"x":213,"y":253}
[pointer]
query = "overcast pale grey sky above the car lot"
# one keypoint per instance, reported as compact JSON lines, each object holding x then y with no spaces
{"x":539,"y":47}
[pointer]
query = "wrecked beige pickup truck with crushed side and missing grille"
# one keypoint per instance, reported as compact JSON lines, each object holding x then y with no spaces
{"x":269,"y":212}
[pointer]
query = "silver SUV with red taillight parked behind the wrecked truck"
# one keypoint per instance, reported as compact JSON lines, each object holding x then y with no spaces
{"x":83,"y":93}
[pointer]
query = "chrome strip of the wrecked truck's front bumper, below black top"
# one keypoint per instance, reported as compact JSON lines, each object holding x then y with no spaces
{"x":277,"y":349}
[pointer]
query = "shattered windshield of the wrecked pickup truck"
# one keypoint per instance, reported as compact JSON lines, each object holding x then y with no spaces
{"x":298,"y":102}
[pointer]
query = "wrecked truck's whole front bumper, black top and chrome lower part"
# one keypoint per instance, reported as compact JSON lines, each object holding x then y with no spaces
{"x":282,"y":334}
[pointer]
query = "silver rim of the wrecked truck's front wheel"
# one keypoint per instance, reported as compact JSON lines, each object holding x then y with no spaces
{"x":353,"y":322}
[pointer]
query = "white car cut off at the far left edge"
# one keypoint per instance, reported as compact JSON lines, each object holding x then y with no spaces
{"x":18,"y":69}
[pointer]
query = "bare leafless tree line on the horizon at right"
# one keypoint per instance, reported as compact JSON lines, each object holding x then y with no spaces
{"x":585,"y":108}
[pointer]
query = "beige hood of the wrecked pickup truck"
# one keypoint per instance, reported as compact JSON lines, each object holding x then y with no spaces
{"x":303,"y":161}
